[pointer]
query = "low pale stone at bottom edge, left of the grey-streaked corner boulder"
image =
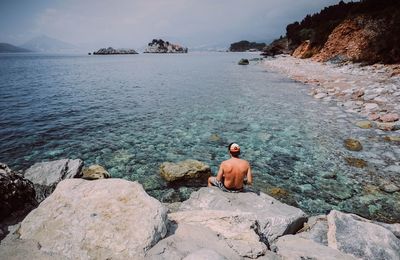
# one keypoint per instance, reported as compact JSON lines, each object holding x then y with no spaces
{"x":293,"y":247}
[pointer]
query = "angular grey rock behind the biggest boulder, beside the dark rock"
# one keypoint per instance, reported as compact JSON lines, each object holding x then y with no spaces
{"x":46,"y":175}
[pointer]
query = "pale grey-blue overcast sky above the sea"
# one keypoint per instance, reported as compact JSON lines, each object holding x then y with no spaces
{"x":134,"y":23}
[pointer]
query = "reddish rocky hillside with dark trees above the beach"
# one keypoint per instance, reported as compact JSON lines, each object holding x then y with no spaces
{"x":367,"y":31}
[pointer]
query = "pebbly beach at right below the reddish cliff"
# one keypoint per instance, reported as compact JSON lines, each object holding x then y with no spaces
{"x":370,"y":91}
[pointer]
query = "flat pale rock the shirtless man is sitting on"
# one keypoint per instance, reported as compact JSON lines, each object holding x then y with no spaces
{"x":274,"y":218}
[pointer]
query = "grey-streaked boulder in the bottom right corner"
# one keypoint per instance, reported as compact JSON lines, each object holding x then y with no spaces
{"x":360,"y":237}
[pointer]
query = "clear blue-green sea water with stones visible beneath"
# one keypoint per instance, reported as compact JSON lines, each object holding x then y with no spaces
{"x":131,"y":113}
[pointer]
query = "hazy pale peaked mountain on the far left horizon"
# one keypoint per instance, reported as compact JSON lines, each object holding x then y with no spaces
{"x":44,"y":43}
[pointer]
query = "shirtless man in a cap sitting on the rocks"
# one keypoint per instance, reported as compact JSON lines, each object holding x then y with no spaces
{"x":233,"y":173}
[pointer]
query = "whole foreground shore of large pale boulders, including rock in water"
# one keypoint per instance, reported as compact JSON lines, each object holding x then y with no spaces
{"x":90,"y":216}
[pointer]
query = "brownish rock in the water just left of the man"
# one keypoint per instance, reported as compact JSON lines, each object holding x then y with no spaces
{"x":189,"y":171}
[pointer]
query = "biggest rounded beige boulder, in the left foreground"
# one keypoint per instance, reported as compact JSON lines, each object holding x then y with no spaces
{"x":103,"y":219}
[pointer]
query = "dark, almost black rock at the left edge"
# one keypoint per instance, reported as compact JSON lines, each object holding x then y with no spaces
{"x":17,"y":197}
